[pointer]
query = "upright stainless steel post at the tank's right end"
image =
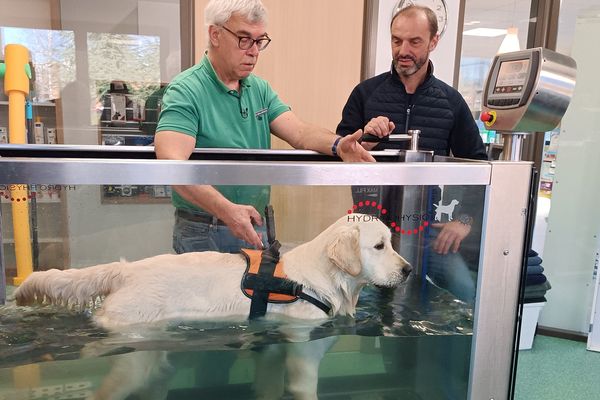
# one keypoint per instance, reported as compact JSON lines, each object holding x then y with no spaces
{"x":494,"y":339}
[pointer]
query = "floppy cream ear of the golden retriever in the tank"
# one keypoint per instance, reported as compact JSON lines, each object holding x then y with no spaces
{"x":344,"y":251}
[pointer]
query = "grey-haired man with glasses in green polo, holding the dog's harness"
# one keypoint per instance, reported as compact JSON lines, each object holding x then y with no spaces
{"x":220,"y":103}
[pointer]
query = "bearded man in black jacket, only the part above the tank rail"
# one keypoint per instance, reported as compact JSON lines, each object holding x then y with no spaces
{"x":411,"y":97}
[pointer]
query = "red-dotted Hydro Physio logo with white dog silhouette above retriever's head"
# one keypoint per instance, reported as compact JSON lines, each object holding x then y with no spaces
{"x":405,"y":224}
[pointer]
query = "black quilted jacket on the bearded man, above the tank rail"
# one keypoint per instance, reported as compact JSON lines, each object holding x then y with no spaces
{"x":435,"y":108}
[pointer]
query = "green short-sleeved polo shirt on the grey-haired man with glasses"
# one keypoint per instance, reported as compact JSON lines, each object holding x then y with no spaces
{"x":198,"y":104}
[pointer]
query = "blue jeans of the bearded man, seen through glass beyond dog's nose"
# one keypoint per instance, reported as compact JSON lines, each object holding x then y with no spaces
{"x":451,"y":272}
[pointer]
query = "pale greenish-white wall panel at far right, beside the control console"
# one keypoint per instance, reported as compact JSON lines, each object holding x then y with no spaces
{"x":574,"y":219}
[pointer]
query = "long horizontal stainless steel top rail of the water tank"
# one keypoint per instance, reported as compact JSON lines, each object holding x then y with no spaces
{"x":162,"y":172}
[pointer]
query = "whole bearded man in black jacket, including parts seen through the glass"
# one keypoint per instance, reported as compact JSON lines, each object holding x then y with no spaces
{"x":411,"y":97}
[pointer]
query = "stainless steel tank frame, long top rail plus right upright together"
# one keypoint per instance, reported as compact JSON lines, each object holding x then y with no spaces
{"x":507,"y":184}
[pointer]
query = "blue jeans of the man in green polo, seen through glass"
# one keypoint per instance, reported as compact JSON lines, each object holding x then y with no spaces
{"x":189,"y":236}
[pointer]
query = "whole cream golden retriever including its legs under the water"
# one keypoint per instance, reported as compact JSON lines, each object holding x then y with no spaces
{"x":354,"y":251}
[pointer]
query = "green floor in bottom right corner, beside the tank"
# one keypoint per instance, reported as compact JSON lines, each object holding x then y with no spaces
{"x":558,"y":369}
